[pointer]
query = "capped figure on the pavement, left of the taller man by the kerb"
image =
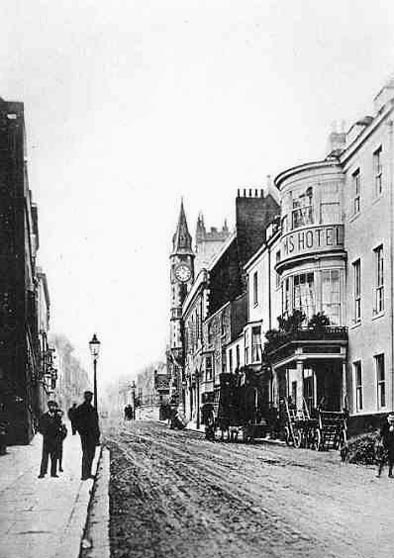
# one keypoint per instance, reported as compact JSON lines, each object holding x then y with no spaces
{"x":48,"y":426}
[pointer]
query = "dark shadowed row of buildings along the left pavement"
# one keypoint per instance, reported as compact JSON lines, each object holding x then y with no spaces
{"x":27,"y":373}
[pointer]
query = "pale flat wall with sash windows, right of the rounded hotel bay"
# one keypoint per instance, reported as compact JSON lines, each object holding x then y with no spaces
{"x":368,"y":226}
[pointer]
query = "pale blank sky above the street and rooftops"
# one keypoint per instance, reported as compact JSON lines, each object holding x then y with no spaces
{"x":131,"y":104}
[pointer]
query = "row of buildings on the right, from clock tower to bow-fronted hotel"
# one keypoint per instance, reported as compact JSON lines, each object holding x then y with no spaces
{"x":301,"y":292}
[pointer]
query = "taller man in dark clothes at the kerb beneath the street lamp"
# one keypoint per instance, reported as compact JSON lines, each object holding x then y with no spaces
{"x":86,"y":422}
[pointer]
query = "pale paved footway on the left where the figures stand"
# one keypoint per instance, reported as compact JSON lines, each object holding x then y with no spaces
{"x":43,"y":518}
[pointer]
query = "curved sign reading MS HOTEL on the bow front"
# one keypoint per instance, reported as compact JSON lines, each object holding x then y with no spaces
{"x":308,"y":240}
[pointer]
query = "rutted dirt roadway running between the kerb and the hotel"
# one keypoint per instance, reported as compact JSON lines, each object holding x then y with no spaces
{"x":174,"y":494}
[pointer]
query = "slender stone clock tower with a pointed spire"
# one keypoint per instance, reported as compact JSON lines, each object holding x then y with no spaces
{"x":181,"y":279}
